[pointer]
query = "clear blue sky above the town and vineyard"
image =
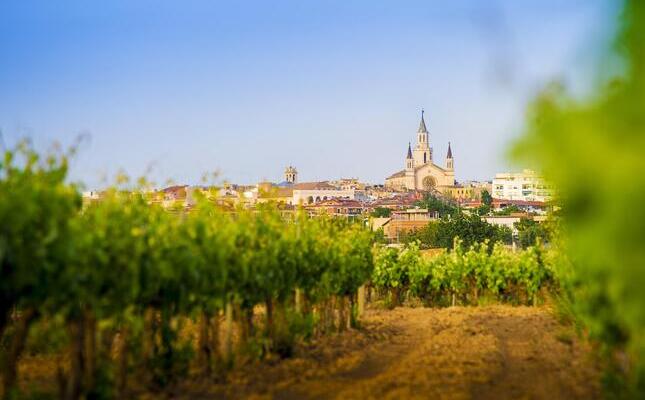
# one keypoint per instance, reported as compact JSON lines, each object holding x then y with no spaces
{"x":177,"y":89}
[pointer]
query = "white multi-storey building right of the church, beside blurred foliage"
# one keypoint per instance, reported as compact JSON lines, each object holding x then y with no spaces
{"x":525,"y":185}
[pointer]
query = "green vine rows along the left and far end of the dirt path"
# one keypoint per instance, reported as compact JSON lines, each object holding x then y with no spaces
{"x":126,"y":289}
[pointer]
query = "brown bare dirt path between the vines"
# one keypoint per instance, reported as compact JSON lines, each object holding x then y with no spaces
{"x":496,"y":352}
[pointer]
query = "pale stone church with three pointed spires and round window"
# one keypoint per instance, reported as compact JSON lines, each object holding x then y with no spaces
{"x":420,"y":172}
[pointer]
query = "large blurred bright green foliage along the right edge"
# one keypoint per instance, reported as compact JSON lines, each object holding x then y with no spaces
{"x":592,"y":150}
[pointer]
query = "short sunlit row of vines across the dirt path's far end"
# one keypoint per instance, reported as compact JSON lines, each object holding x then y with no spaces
{"x":464,"y":276}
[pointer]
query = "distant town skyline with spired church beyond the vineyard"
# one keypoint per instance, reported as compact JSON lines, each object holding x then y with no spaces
{"x":349,"y":197}
